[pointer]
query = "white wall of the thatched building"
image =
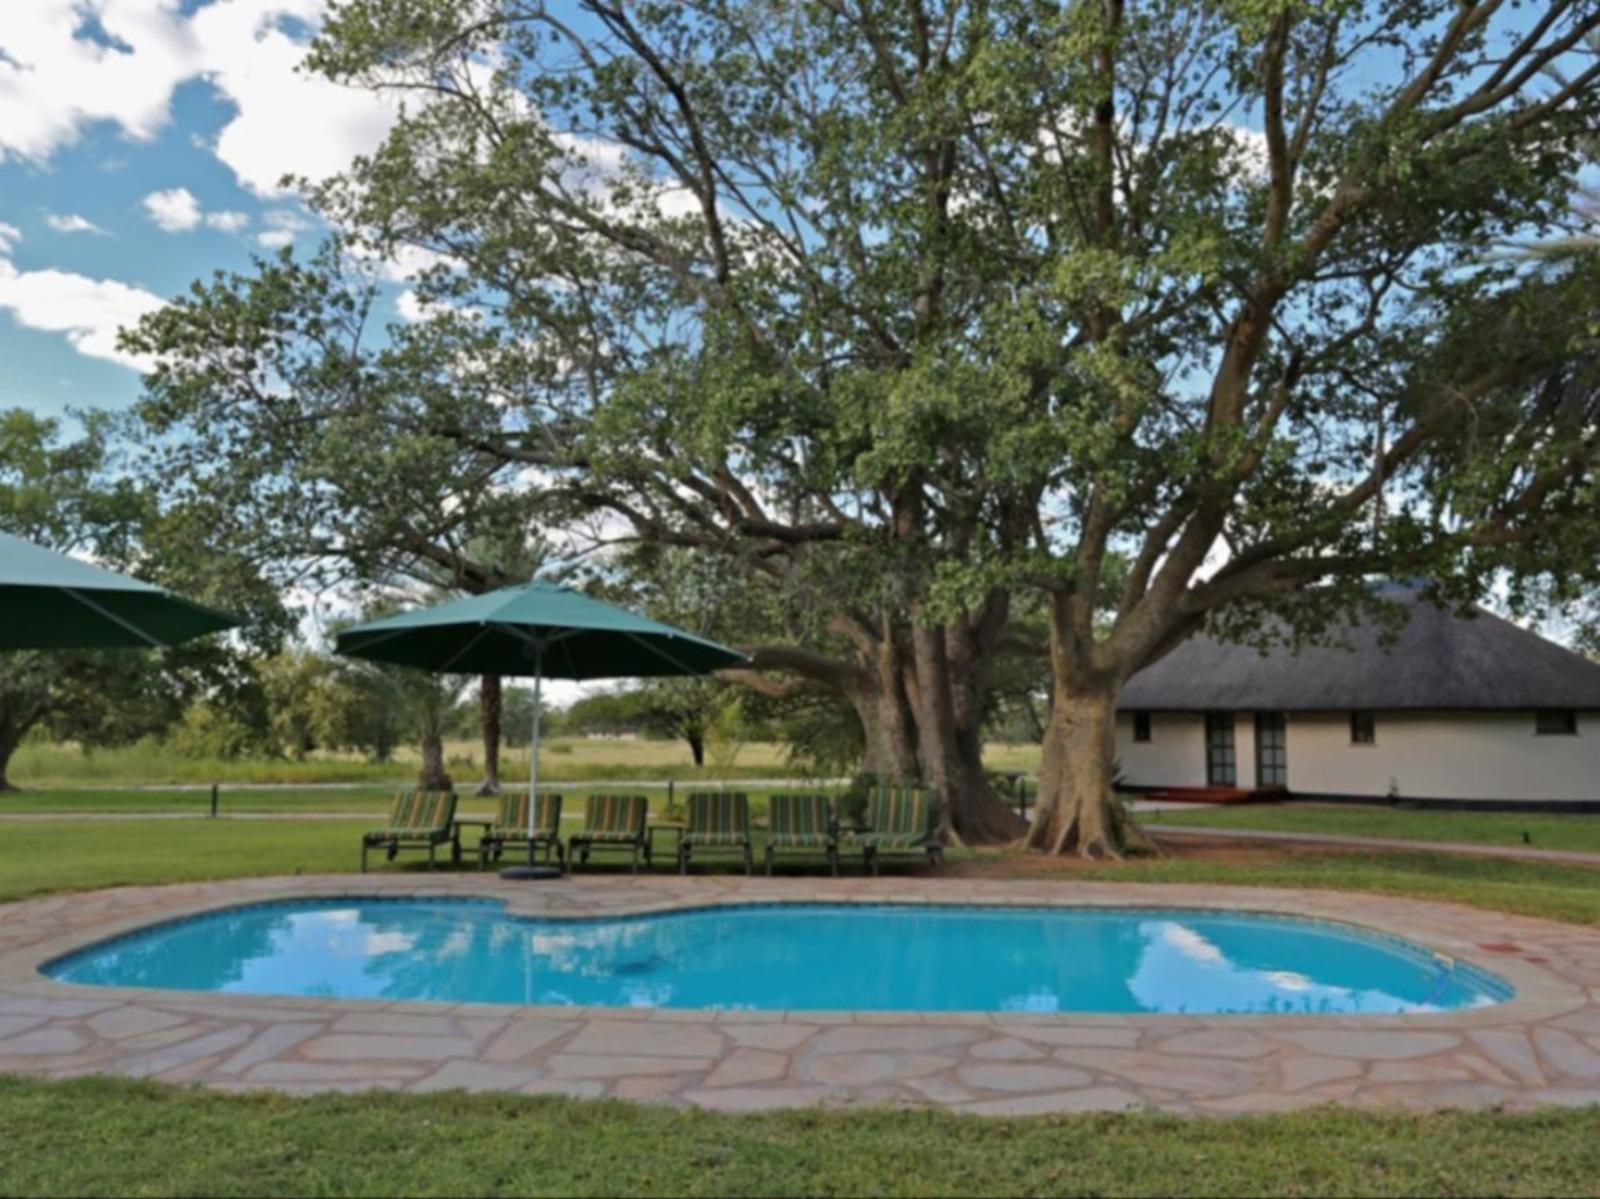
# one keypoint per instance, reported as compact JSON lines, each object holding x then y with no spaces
{"x":1422,"y":755}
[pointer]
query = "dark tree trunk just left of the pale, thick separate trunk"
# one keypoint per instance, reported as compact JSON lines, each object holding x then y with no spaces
{"x":970,"y":811}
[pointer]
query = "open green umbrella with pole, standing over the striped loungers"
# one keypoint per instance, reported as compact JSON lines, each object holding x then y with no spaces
{"x":537,"y":630}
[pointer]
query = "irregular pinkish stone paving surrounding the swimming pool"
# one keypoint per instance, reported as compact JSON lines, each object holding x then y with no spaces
{"x":1540,"y":1048}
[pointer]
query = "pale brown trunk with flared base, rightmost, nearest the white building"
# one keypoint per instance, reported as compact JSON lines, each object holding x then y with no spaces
{"x":1074,"y":811}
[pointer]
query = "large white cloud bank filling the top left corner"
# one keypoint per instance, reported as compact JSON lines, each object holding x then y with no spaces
{"x":57,"y":82}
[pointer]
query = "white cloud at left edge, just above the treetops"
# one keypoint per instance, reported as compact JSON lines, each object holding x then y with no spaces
{"x":87,"y":311}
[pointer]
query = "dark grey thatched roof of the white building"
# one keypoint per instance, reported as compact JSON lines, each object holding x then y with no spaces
{"x":1439,"y":660}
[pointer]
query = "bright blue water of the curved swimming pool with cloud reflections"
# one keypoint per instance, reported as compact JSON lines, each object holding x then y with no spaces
{"x":793,"y":956}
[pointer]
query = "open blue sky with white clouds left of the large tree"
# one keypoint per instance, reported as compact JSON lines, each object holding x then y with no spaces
{"x":143,"y":145}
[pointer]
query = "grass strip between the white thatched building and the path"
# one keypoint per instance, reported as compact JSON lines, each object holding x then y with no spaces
{"x":1554,"y":832}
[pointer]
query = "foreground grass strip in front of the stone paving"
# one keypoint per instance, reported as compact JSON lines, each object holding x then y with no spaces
{"x":114,"y":1137}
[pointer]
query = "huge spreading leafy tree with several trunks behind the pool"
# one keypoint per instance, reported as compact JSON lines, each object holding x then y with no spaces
{"x":1166,"y":313}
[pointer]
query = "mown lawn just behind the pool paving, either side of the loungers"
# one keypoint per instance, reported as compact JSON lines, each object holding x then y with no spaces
{"x":47,"y":856}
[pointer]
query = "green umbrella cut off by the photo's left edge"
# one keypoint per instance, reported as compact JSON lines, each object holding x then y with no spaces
{"x":50,"y":601}
